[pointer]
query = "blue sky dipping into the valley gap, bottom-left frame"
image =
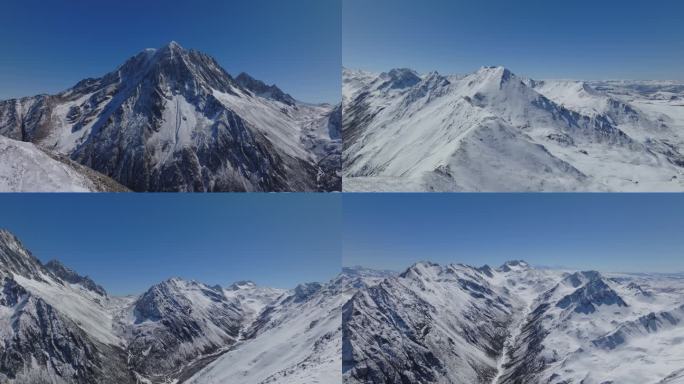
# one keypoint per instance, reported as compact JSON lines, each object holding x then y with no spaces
{"x":127,"y":242}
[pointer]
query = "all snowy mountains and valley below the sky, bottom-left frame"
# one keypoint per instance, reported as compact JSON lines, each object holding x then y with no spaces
{"x":59,"y":327}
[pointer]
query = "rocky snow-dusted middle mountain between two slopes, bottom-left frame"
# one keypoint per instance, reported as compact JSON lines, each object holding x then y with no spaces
{"x":176,"y":321}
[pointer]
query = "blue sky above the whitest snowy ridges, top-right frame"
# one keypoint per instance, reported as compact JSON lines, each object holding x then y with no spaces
{"x":580,"y":39}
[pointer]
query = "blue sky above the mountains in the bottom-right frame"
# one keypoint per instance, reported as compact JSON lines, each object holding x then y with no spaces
{"x":608,"y":232}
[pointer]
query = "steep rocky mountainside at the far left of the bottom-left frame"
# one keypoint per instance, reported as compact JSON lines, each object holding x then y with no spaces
{"x":52,"y":331}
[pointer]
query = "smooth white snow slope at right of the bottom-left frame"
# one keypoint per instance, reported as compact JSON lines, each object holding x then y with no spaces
{"x":296,"y":339}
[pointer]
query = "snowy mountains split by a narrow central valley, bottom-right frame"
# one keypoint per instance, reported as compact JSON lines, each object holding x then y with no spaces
{"x":514,"y":324}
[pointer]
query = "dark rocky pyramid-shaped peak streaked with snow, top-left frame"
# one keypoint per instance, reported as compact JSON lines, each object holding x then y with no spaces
{"x":172,"y":119}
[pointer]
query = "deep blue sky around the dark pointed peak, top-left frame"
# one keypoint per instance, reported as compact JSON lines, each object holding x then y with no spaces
{"x":48,"y":46}
